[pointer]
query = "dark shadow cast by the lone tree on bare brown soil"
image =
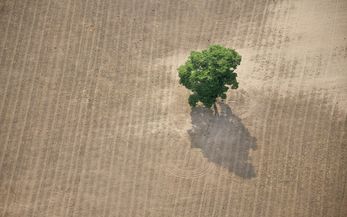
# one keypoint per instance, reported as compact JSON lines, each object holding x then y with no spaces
{"x":223,"y":139}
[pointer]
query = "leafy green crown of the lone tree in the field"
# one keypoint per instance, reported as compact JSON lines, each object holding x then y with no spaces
{"x":209,"y":74}
